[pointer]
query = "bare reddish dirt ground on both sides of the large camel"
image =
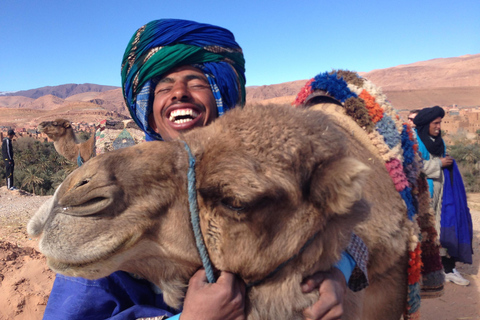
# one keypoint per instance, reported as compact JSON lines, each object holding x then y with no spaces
{"x":26,"y":281}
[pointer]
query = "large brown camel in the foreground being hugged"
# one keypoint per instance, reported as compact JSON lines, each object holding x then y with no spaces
{"x":279,"y":192}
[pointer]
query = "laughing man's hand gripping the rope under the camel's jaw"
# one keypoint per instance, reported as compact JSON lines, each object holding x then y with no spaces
{"x":223,"y":300}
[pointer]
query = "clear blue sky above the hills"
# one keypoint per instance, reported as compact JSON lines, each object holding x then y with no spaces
{"x":53,"y":42}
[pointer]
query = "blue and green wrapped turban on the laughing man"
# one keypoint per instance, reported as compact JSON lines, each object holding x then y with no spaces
{"x":162,"y":45}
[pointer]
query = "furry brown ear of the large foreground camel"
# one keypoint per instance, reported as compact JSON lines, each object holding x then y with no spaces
{"x":337,"y":185}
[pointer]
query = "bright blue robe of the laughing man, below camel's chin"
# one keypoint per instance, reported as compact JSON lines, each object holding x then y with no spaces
{"x":116,"y":297}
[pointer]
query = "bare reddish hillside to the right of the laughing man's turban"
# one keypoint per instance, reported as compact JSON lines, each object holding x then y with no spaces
{"x":443,"y":82}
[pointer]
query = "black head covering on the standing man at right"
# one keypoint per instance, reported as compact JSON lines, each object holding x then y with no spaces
{"x":422,"y":120}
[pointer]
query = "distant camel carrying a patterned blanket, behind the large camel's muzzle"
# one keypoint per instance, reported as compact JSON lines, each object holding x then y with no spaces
{"x":108,"y":136}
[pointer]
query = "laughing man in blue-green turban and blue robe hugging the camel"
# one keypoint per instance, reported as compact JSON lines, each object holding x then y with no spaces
{"x":178,"y":75}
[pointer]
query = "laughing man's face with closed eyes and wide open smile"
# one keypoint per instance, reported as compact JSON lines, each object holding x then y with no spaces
{"x":183,"y":100}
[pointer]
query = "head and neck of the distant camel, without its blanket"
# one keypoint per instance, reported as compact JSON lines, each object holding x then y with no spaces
{"x":65,"y":140}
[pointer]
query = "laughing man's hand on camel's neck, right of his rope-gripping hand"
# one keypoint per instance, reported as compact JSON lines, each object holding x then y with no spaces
{"x":332,"y":288}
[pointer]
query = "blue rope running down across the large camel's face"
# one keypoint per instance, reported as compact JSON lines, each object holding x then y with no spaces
{"x":194,"y":216}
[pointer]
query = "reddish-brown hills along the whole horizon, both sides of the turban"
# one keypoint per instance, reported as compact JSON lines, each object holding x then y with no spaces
{"x":443,"y":82}
